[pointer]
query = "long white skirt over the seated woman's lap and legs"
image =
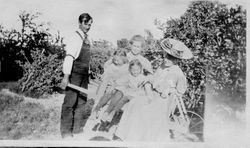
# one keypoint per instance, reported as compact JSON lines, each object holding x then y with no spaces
{"x":143,"y":121}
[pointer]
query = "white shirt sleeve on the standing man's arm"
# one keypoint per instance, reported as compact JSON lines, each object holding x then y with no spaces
{"x":73,"y":47}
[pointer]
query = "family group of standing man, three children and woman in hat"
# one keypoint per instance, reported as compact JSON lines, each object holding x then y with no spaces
{"x":129,"y":83}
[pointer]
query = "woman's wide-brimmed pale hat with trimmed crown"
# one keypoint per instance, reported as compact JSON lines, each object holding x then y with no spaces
{"x":176,"y":48}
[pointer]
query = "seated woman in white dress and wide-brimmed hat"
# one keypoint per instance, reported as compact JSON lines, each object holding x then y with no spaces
{"x":149,"y":121}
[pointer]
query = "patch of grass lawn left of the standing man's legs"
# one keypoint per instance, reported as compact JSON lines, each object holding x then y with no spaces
{"x":25,"y":118}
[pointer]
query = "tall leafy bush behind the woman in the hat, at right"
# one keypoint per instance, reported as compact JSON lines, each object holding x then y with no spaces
{"x":216,"y":34}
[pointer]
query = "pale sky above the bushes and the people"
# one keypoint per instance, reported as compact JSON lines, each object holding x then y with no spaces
{"x":112,"y":19}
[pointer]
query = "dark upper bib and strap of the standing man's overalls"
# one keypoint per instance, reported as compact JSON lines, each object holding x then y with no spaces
{"x":81,"y":64}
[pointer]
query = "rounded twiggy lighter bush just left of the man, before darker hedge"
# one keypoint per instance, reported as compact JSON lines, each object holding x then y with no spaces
{"x":42,"y":75}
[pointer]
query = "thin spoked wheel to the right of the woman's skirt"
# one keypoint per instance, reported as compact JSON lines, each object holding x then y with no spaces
{"x":196,"y":124}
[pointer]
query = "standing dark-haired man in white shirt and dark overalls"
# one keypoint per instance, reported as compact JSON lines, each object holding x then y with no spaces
{"x":76,"y":71}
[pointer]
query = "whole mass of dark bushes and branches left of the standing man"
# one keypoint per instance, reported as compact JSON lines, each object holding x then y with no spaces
{"x":36,"y":54}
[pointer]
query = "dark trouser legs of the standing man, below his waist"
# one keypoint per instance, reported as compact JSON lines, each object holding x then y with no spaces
{"x":73,"y":117}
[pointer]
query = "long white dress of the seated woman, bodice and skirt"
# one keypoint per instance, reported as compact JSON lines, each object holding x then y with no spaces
{"x":143,"y":120}
